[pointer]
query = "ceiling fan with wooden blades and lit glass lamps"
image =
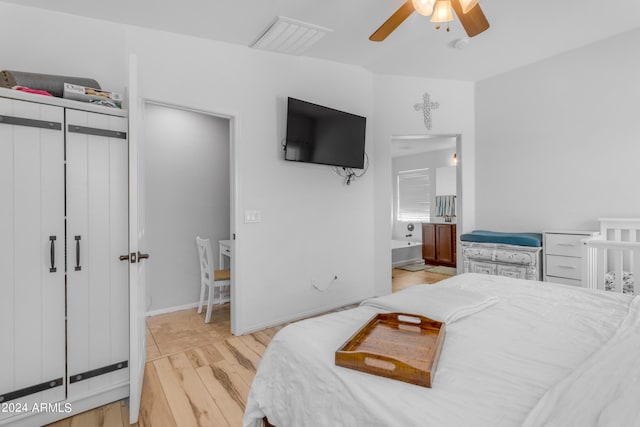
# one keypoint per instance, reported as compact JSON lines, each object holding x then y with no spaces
{"x":469,"y":13}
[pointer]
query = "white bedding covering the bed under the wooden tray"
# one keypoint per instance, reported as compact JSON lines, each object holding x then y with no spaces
{"x":509,"y":345}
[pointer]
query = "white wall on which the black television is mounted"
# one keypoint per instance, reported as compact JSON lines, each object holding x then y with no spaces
{"x":313,"y":226}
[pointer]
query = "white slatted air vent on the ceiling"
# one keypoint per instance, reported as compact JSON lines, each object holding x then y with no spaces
{"x":286,"y":35}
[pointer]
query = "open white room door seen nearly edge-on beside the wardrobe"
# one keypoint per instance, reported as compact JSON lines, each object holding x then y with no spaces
{"x":137,"y":290}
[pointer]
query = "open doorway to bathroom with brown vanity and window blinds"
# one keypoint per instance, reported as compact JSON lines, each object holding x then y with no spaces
{"x":425,"y":194}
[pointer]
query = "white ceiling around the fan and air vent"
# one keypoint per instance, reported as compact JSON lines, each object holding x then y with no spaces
{"x":521,"y":32}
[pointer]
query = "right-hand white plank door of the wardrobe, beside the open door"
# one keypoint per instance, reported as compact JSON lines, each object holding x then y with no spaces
{"x":97,"y":234}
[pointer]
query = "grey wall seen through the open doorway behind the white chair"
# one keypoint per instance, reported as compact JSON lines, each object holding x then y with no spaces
{"x":186,"y":195}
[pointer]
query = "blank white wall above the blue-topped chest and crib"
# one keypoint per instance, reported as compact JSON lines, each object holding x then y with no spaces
{"x":558,"y":142}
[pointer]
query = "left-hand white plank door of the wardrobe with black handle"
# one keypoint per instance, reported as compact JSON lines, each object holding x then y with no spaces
{"x":32,"y":349}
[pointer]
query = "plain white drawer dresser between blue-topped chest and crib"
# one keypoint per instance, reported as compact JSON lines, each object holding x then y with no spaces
{"x":563,"y":256}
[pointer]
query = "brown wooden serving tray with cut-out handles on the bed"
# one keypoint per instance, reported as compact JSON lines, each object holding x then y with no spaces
{"x":400,"y":346}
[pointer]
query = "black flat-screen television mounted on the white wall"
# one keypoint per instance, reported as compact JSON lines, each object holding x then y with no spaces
{"x":317,"y":134}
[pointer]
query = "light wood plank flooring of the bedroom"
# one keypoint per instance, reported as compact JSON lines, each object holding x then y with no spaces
{"x":199,"y":374}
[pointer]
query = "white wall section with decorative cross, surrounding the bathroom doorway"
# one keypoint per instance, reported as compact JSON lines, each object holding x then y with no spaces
{"x":394,"y":98}
